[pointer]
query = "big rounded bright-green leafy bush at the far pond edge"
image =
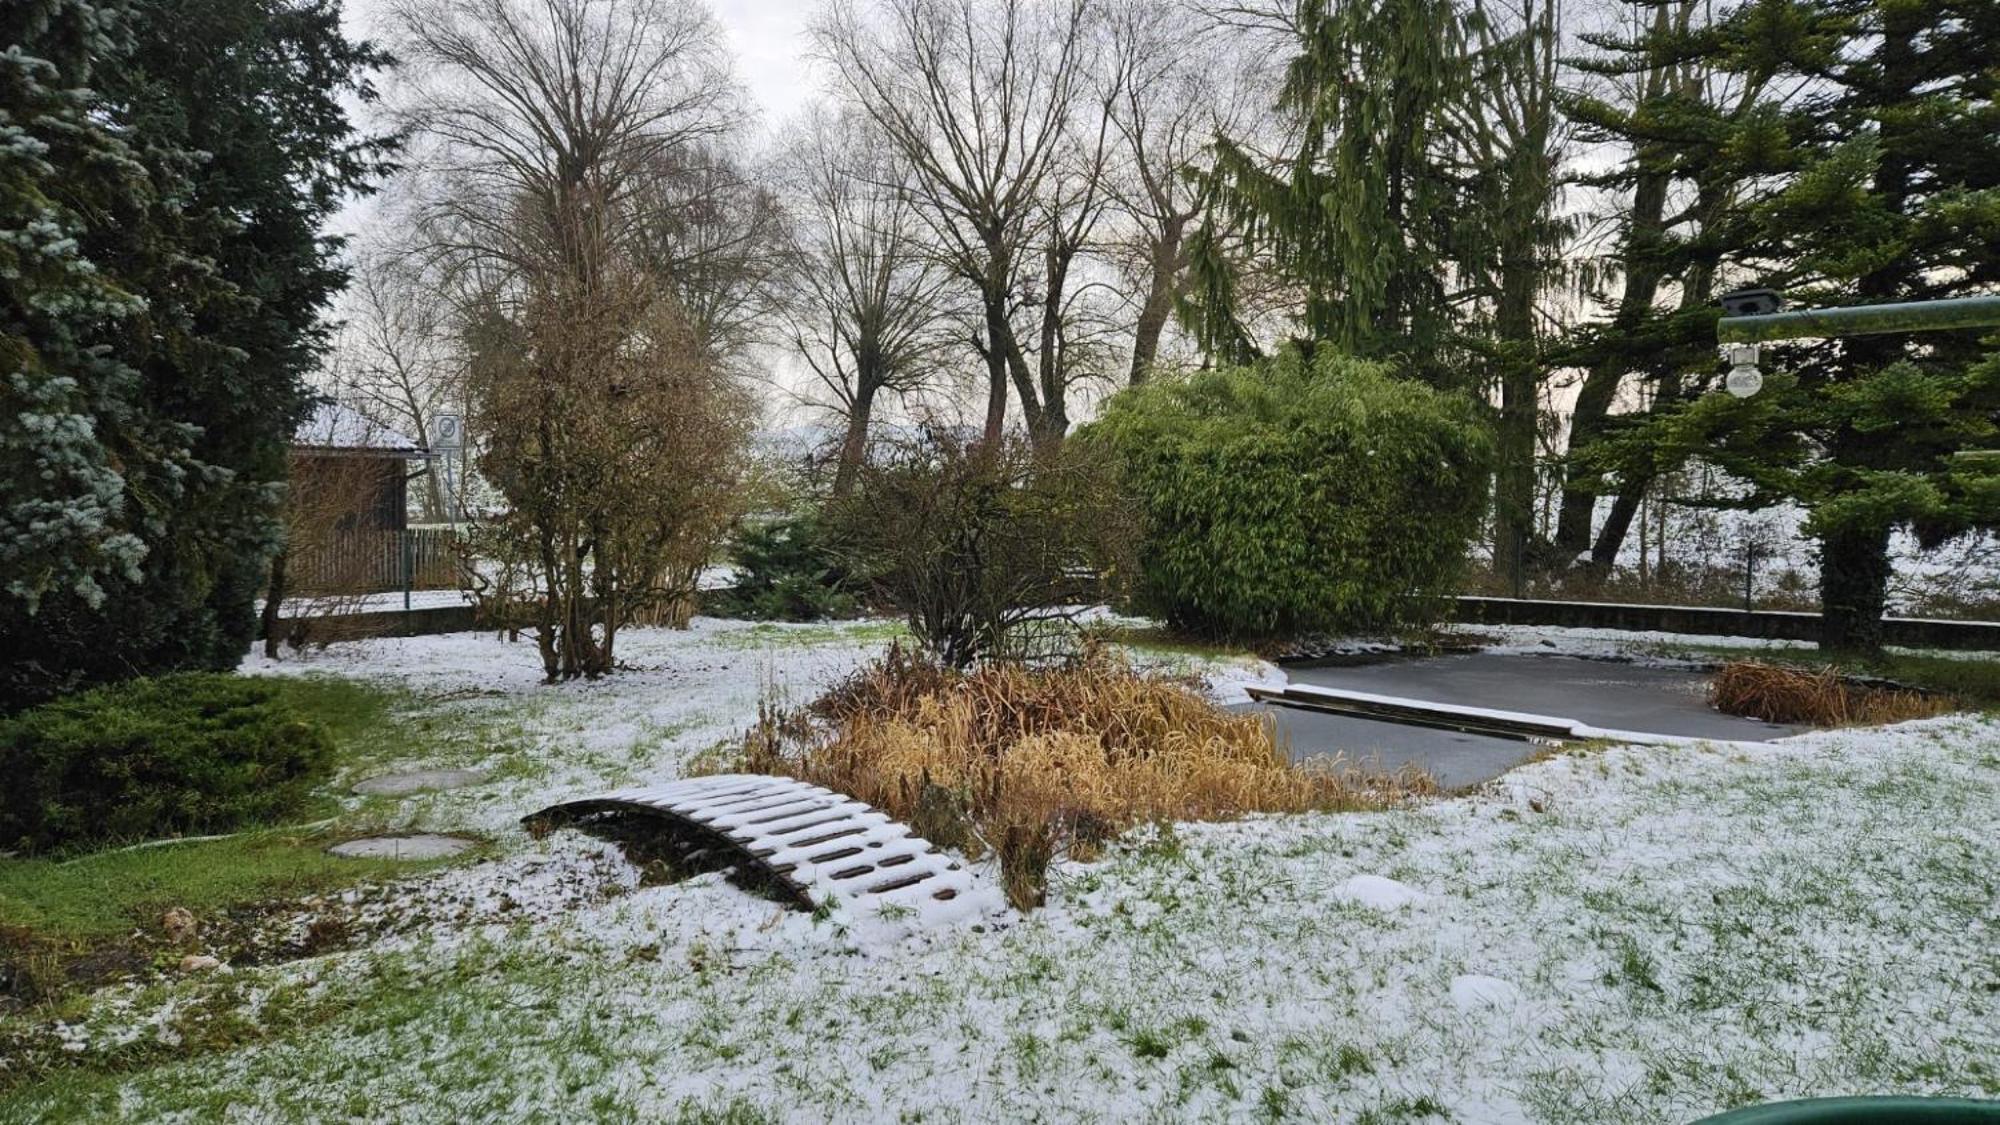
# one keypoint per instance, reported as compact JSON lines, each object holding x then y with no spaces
{"x":1299,"y":495}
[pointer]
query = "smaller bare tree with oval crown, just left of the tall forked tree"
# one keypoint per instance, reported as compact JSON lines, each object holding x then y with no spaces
{"x":861,"y":293}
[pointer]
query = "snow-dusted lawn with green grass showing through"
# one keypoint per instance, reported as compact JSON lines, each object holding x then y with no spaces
{"x":1609,"y":936}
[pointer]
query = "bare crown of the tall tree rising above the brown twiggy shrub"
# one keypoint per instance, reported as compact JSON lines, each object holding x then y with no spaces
{"x":539,"y":119}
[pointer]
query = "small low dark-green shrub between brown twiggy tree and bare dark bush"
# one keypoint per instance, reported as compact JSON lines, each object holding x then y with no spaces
{"x":787,"y":572}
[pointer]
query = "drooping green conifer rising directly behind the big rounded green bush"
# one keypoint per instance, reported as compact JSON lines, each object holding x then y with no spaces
{"x":1359,"y":219}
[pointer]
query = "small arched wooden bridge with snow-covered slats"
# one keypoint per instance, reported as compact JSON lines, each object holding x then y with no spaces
{"x":811,"y":844}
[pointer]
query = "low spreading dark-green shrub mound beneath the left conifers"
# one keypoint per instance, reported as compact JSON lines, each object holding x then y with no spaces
{"x":157,"y":758}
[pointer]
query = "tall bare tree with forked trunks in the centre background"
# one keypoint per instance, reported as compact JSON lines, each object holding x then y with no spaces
{"x":981,"y":99}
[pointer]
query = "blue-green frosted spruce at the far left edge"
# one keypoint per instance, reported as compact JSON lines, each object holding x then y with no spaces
{"x":85,"y":469}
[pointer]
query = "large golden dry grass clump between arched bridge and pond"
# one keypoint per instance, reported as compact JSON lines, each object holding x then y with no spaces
{"x":1055,"y":762}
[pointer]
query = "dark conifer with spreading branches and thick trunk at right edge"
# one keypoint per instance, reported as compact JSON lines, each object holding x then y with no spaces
{"x":1897,"y":199}
